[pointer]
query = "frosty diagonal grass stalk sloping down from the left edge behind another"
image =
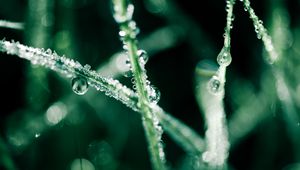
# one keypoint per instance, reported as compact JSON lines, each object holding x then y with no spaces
{"x":112,"y":88}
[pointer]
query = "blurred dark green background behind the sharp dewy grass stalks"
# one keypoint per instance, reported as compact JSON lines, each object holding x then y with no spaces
{"x":263,"y":123}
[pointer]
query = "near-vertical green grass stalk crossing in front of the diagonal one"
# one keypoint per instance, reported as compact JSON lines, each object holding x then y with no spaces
{"x":123,"y":12}
